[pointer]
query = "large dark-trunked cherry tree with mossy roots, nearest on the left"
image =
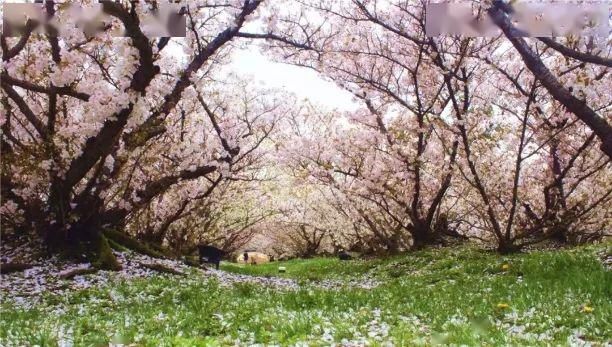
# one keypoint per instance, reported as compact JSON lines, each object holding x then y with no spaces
{"x":84,"y":119}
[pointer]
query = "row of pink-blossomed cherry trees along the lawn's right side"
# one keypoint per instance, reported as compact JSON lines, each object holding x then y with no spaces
{"x":458,"y":136}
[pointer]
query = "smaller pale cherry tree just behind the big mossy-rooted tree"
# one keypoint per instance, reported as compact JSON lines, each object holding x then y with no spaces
{"x":193,"y":209}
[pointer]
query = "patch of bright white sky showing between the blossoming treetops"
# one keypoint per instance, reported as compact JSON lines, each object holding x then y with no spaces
{"x":303,"y":82}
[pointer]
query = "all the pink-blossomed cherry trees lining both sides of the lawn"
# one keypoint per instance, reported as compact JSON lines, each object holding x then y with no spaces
{"x":456,"y":136}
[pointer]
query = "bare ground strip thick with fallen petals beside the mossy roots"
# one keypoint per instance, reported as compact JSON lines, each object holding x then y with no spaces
{"x":50,"y":276}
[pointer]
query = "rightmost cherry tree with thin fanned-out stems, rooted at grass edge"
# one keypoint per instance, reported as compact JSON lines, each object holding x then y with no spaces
{"x":550,"y":146}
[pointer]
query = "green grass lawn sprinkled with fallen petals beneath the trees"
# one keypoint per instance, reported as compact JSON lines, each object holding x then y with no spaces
{"x":447,"y":296}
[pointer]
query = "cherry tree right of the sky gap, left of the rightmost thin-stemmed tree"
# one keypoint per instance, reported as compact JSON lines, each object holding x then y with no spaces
{"x":383,"y":56}
